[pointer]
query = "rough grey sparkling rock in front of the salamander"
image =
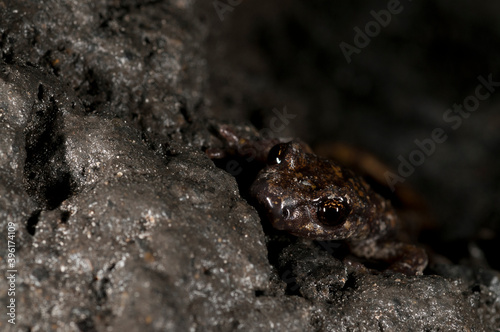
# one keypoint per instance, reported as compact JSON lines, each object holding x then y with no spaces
{"x":123,"y":223}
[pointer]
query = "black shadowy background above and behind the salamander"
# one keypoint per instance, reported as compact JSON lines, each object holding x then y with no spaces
{"x":266,"y":55}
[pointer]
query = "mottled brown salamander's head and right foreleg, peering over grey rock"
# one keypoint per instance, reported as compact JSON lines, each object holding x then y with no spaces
{"x":315,"y":198}
